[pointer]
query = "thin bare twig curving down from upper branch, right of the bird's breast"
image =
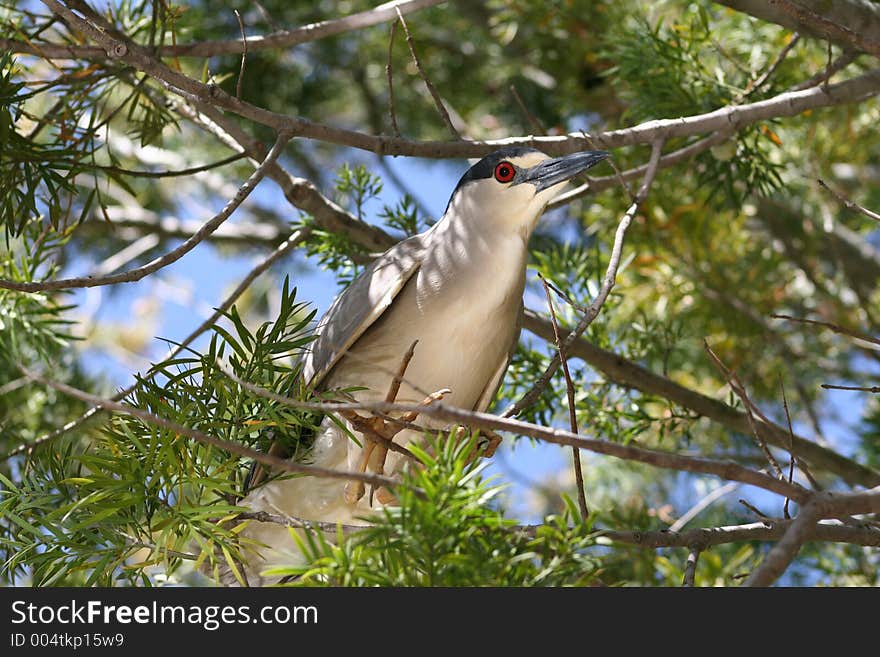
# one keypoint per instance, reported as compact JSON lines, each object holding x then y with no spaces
{"x":607,"y":284}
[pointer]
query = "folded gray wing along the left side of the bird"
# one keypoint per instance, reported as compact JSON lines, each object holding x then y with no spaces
{"x":360,"y":305}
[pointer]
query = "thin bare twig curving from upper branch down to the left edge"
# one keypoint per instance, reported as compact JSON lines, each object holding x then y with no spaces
{"x":172,"y":256}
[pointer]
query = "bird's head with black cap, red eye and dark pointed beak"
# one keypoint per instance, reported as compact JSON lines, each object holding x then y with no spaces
{"x":511,"y":187}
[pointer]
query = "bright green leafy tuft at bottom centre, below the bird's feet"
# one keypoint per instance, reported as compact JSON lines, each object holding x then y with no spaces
{"x":447,"y":533}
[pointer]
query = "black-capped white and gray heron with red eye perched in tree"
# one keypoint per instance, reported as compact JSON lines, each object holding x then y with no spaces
{"x":449,"y":300}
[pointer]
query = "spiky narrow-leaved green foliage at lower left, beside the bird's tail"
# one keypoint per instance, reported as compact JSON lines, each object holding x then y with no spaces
{"x":133,"y":501}
